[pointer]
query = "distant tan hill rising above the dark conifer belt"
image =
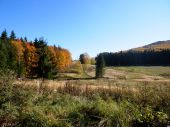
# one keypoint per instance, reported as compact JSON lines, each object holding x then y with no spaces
{"x":157,"y":46}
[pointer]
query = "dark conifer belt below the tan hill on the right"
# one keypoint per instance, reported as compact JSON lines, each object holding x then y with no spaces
{"x":138,"y":58}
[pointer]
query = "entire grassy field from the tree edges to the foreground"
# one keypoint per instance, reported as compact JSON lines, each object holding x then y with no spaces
{"x":126,"y":96}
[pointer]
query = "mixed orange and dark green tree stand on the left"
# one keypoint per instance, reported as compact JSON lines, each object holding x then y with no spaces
{"x":32,"y":59}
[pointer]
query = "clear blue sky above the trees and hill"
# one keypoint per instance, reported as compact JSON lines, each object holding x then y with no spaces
{"x":91,"y":26}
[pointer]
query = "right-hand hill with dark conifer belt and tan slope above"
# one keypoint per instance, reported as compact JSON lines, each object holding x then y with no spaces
{"x":154,"y":54}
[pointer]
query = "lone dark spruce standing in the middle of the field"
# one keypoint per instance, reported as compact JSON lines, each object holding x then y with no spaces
{"x":100,"y":64}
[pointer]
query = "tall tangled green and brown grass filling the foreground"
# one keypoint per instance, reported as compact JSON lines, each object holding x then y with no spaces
{"x":76,"y":105}
